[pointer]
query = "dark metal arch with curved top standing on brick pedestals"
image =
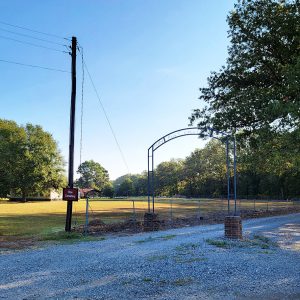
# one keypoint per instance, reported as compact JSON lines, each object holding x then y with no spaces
{"x":224,"y":137}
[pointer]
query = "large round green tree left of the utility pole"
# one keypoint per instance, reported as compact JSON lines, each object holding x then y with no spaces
{"x":30,"y":161}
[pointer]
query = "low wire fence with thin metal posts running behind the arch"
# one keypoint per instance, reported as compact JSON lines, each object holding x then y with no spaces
{"x":174,"y":210}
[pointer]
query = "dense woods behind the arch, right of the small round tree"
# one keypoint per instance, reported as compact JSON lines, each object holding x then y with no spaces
{"x":271,"y":169}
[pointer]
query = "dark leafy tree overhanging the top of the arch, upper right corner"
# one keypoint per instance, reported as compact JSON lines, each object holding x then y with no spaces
{"x":259,"y":87}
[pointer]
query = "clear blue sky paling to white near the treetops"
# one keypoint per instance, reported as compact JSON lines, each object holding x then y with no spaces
{"x":148,"y":59}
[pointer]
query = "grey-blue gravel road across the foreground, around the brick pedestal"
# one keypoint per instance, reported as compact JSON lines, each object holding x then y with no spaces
{"x":186,"y":263}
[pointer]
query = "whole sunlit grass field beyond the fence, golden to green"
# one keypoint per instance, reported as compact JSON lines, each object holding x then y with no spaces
{"x":43,"y":218}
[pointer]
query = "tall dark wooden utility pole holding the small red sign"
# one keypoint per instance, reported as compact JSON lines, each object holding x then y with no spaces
{"x":72,"y":129}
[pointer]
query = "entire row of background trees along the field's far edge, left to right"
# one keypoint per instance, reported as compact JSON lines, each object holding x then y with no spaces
{"x":30,"y":162}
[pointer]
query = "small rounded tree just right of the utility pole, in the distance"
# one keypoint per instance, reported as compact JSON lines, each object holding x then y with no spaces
{"x":92,"y":175}
